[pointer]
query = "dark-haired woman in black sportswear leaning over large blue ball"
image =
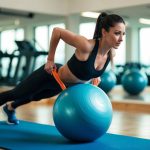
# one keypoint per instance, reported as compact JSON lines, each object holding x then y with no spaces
{"x":86,"y":65}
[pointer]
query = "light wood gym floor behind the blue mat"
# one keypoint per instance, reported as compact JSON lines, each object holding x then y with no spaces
{"x":131,"y":115}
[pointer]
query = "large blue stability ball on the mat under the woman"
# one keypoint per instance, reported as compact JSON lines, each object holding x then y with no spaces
{"x":82,"y":113}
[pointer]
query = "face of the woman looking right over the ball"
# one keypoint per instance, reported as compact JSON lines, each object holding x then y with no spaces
{"x":115,"y":35}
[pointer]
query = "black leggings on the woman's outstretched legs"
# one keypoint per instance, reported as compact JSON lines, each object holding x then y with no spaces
{"x":35,"y":87}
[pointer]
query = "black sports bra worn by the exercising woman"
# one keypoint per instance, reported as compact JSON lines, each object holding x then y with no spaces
{"x":85,"y":70}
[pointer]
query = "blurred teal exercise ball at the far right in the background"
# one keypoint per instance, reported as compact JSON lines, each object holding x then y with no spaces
{"x":134,"y":81}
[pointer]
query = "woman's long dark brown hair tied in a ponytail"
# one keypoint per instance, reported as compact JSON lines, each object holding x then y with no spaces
{"x":105,"y":21}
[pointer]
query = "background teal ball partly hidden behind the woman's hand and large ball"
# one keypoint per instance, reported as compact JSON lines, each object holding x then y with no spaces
{"x":108,"y":81}
